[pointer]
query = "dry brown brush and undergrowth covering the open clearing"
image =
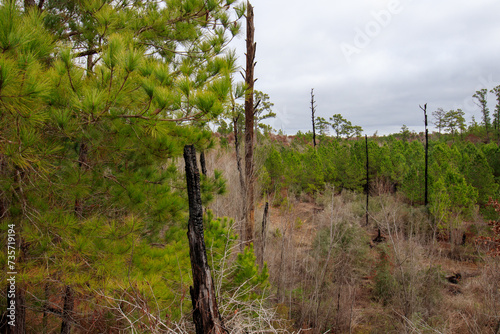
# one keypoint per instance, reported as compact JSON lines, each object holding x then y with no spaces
{"x":330,"y":272}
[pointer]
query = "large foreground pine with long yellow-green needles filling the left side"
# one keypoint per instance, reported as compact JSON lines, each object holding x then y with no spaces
{"x":103,"y":96}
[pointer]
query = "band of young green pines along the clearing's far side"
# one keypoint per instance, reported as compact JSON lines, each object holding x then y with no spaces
{"x":461,"y":175}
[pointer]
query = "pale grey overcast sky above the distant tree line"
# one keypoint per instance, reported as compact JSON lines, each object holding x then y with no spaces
{"x":374,"y":61}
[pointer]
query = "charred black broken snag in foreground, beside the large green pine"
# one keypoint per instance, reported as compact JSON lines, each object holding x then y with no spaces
{"x":205,"y":311}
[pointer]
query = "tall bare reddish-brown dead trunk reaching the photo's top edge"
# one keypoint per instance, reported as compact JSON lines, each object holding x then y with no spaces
{"x":249,"y":127}
